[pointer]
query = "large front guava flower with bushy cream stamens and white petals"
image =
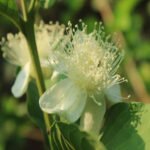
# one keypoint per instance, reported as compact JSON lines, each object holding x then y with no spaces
{"x":89,"y":63}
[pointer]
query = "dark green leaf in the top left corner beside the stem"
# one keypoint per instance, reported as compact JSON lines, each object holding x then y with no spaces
{"x":8,"y":9}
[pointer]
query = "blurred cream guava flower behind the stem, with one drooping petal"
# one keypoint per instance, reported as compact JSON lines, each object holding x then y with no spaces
{"x":15,"y":50}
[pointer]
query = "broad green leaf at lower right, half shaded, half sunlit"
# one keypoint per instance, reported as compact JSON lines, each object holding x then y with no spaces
{"x":127,"y":127}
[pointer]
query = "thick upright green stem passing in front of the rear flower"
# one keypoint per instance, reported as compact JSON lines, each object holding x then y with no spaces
{"x":30,"y":37}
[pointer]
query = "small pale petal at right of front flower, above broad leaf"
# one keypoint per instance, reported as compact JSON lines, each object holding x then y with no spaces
{"x":114,"y":94}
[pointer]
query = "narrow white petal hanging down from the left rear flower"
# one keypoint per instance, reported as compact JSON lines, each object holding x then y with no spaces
{"x":21,"y":83}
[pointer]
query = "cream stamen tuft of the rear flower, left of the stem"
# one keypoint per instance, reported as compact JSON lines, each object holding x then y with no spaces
{"x":15,"y":49}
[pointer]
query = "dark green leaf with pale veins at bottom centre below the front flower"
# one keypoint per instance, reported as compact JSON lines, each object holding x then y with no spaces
{"x":70,"y":137}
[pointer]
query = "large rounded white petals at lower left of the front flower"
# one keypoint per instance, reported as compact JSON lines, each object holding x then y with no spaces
{"x":64,"y":99}
